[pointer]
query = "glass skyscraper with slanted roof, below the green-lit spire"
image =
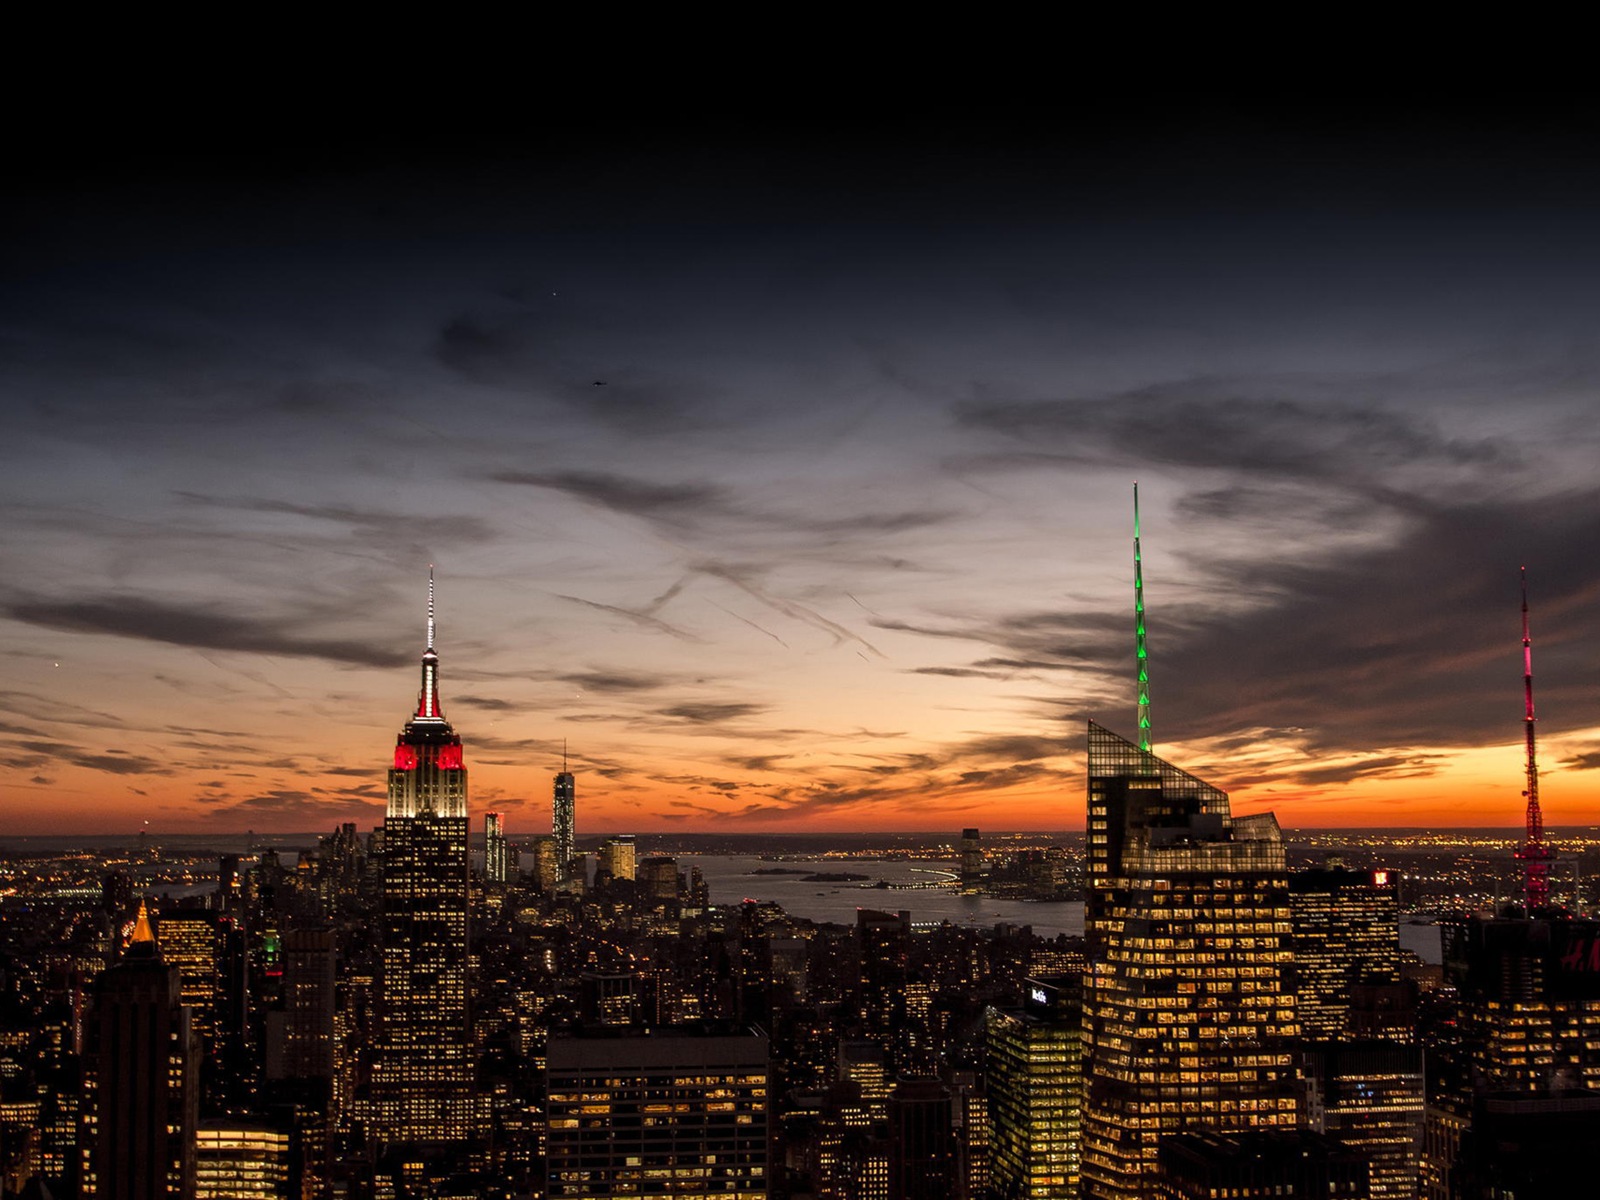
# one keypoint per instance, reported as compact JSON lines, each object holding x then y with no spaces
{"x":1191,"y":1017}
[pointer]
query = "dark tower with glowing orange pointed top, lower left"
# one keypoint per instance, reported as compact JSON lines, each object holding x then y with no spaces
{"x":142,"y":1081}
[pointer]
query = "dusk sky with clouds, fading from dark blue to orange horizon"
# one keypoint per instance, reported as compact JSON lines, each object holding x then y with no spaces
{"x":783,"y":471}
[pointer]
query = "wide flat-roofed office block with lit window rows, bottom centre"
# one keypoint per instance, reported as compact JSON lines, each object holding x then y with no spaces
{"x":662,"y":1113}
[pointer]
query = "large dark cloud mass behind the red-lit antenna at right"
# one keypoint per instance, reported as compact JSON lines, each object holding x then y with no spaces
{"x":1412,"y":644}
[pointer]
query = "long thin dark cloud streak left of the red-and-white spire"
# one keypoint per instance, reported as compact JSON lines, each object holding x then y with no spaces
{"x":196,"y":628}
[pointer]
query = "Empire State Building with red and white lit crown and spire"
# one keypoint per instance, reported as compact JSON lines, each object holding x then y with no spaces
{"x":422,"y":1089}
